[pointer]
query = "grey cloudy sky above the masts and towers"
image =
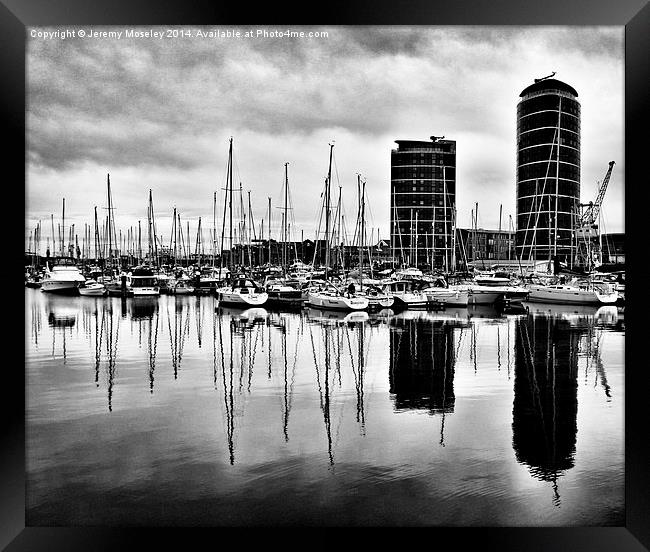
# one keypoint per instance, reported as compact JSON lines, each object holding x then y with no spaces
{"x":158,"y":113}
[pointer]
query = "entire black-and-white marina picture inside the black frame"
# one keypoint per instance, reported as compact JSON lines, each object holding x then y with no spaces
{"x":304,"y":284}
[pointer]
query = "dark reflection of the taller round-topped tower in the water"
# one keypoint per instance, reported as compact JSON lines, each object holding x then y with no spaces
{"x":544,"y":415}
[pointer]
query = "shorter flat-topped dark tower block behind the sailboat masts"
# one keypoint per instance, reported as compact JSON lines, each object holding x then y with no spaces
{"x":423,"y":202}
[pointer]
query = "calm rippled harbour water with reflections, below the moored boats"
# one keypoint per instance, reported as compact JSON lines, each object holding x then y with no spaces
{"x":166,"y":412}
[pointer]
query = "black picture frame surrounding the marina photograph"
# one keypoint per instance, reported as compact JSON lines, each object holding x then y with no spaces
{"x":16,"y":15}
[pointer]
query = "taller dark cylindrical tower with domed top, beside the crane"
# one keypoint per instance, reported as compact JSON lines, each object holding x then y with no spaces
{"x":548,"y":171}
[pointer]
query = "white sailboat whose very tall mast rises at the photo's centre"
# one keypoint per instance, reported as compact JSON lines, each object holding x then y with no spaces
{"x":328,"y":296}
